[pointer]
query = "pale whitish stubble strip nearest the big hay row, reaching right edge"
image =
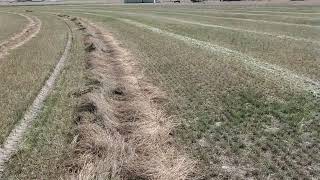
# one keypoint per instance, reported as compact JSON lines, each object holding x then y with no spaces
{"x":279,"y":73}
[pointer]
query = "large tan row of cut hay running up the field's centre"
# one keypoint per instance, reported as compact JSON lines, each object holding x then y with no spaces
{"x":122,"y":133}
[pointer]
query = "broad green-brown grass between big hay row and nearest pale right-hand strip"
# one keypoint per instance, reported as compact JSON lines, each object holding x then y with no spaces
{"x":225,"y":123}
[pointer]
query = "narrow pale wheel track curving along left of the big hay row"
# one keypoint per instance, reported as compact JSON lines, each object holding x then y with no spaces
{"x":15,"y":138}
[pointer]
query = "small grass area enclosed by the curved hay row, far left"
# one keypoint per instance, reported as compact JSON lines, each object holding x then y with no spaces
{"x":13,"y":24}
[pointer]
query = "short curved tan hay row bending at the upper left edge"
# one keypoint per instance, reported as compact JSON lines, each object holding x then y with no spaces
{"x":31,"y":30}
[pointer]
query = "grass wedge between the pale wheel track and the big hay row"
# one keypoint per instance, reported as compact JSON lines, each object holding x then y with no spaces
{"x":47,"y":144}
